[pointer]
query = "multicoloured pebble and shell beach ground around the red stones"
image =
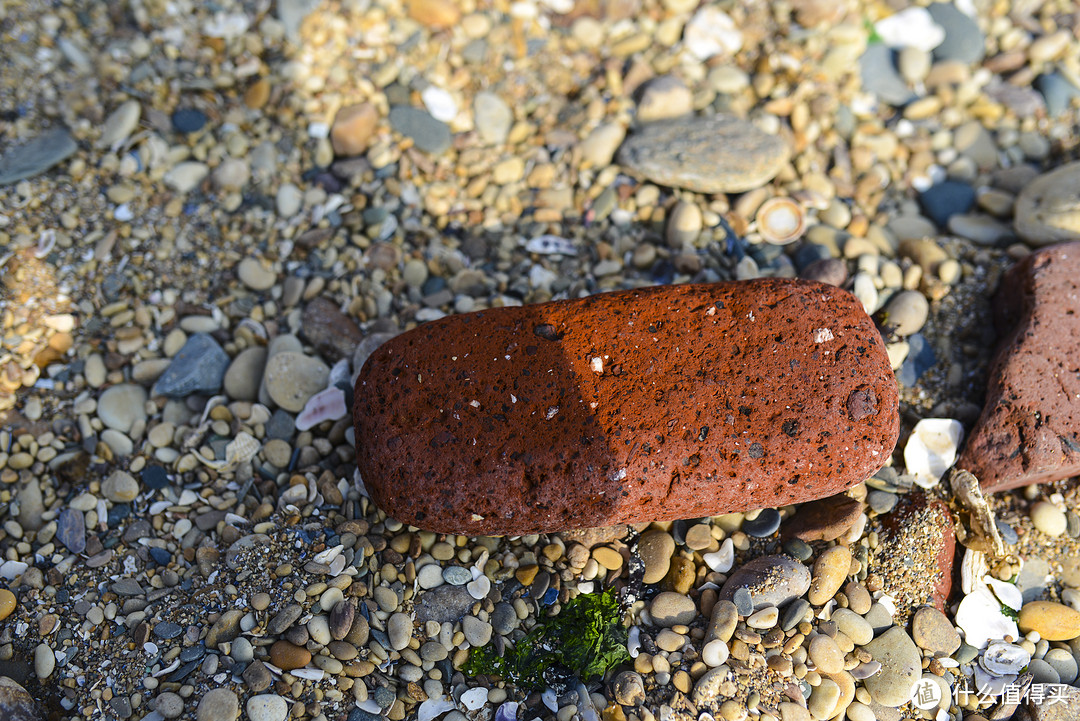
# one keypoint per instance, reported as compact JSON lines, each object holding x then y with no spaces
{"x":212,"y":213}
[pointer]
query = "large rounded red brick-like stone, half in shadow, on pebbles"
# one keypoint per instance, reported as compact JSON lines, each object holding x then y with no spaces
{"x":654,"y":404}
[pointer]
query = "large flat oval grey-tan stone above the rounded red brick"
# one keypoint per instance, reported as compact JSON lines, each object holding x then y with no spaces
{"x":713,"y":155}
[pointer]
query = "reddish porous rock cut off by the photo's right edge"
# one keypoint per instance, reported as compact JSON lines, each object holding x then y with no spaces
{"x":1030,"y":430}
